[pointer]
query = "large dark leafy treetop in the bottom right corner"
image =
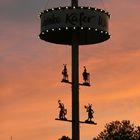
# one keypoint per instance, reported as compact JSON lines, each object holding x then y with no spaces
{"x":117,"y":130}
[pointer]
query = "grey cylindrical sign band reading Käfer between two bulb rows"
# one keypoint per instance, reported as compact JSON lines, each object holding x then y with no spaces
{"x":62,"y":18}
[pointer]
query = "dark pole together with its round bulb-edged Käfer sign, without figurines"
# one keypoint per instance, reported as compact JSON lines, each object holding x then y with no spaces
{"x":74,"y":25}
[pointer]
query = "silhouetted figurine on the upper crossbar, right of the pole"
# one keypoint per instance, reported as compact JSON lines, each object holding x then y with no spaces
{"x":86,"y":77}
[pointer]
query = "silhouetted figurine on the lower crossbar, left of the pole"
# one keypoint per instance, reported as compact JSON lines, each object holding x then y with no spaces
{"x":63,"y":111}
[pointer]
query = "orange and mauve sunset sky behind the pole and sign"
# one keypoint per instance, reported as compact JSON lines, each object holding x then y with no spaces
{"x":30,"y":72}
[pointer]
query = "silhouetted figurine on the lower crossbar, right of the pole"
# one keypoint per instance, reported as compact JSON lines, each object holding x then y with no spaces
{"x":90,"y":113}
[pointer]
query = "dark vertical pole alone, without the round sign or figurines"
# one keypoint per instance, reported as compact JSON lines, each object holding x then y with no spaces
{"x":75,"y":83}
